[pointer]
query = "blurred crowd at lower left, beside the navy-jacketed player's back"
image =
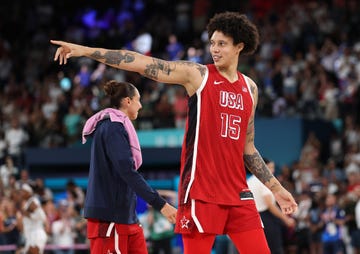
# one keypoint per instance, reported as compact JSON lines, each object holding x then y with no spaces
{"x":64,"y":224}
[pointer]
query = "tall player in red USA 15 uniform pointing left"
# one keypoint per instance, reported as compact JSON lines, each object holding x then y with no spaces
{"x":219,"y":137}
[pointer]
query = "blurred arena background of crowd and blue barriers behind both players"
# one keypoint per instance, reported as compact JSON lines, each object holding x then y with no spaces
{"x":307,"y":68}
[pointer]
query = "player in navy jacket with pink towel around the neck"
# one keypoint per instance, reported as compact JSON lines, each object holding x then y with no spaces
{"x":114,"y":183}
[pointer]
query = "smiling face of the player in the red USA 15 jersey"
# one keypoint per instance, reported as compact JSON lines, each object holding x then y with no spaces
{"x":223,"y":51}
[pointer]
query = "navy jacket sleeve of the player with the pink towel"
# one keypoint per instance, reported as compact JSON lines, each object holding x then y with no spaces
{"x":118,"y":149}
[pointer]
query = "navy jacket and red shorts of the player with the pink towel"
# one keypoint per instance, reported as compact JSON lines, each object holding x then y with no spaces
{"x":113,"y":186}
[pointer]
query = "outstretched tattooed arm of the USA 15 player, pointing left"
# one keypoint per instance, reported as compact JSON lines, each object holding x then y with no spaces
{"x":188,"y":74}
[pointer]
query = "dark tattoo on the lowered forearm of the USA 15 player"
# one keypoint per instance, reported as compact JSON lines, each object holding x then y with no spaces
{"x":257,"y":166}
